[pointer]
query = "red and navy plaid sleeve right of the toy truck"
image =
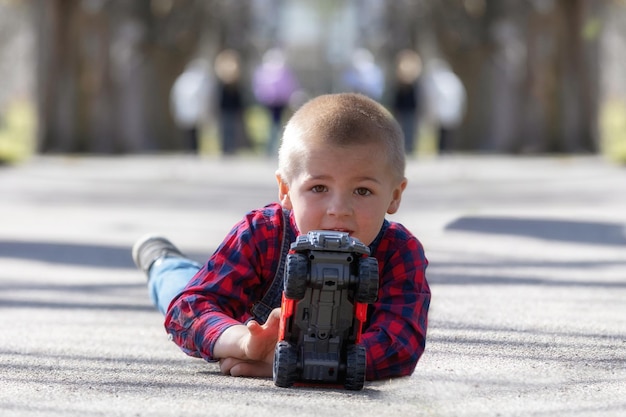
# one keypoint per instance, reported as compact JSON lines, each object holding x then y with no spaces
{"x":395,"y":335}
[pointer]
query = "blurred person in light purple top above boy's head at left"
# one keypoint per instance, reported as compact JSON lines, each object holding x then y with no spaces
{"x":274,"y":84}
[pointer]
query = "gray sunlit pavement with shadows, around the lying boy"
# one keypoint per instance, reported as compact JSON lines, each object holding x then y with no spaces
{"x":528,"y":273}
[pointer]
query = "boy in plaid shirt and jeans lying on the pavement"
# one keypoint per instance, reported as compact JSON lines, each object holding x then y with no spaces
{"x":340,"y":167}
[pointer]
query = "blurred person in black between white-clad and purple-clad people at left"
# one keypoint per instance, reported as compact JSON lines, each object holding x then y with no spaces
{"x":233,"y":134}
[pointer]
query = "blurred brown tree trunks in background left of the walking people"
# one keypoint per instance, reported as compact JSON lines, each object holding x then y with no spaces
{"x":105,"y":73}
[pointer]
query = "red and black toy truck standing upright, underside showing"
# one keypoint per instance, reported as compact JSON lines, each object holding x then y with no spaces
{"x":329,"y":281}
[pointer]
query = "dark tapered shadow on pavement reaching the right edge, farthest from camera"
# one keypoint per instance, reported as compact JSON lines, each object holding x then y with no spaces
{"x":593,"y":233}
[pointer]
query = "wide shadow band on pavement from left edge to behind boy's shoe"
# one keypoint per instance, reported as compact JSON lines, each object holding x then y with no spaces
{"x":98,"y":256}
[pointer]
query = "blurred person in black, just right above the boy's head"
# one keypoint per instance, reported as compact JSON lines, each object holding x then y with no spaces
{"x":406,"y":101}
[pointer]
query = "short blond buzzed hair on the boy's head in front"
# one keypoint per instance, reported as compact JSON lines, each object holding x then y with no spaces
{"x":343,"y":119}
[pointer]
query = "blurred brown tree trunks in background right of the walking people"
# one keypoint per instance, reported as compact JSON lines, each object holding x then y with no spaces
{"x":530,"y":70}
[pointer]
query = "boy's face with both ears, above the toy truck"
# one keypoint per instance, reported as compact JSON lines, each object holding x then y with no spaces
{"x":348,"y":189}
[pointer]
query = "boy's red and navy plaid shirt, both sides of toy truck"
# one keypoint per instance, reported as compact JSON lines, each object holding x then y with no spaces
{"x":243,"y":267}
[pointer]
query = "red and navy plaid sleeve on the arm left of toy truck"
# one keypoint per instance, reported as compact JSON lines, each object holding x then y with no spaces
{"x":221,"y":293}
